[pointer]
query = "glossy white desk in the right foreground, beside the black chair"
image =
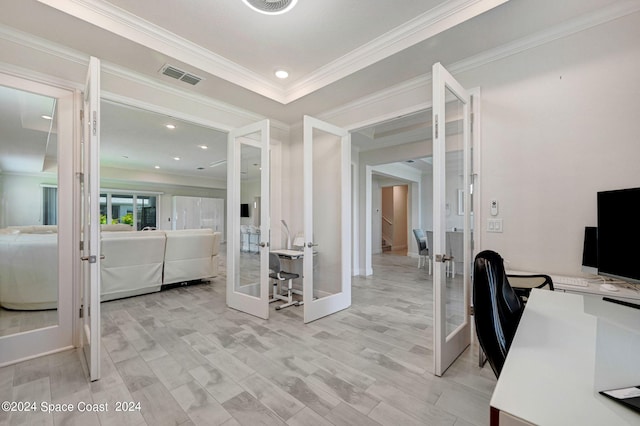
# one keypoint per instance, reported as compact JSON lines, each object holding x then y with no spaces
{"x":549,"y":374}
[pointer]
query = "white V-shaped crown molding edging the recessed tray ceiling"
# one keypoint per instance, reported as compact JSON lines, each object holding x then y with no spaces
{"x":131,"y":27}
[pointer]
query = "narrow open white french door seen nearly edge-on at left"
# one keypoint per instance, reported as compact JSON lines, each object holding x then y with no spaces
{"x":90,"y":222}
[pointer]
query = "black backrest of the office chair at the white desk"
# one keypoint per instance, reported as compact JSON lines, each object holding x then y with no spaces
{"x":497,"y":308}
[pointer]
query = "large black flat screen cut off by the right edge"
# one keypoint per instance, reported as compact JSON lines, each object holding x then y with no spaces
{"x":619,"y":234}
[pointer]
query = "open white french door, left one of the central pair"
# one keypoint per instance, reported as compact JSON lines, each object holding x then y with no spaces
{"x":248,"y":178}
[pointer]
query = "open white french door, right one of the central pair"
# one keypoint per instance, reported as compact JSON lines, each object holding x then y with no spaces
{"x":327,"y":219}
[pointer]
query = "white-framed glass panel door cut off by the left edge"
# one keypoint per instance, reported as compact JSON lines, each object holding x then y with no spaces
{"x":36,"y":220}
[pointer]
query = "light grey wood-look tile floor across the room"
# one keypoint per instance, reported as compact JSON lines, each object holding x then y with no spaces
{"x":188,"y":359}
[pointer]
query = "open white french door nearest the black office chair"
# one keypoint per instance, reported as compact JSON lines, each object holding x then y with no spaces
{"x":451,"y":147}
